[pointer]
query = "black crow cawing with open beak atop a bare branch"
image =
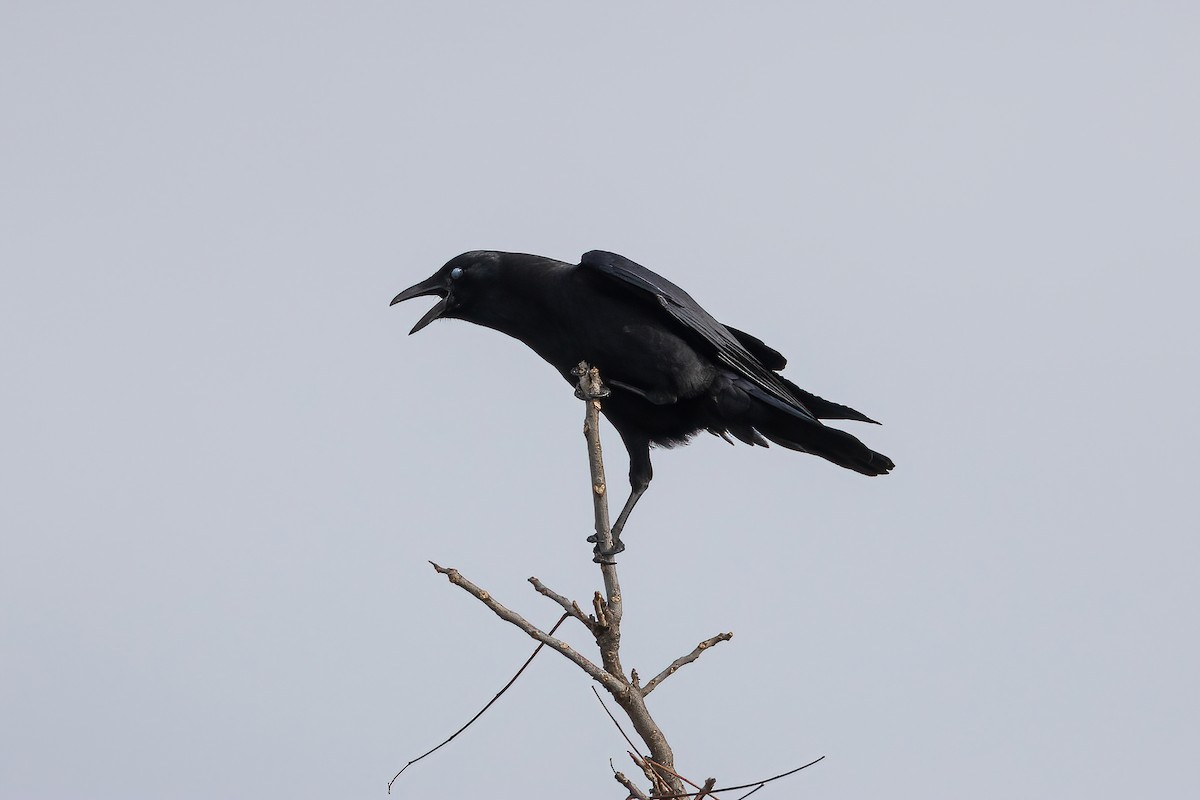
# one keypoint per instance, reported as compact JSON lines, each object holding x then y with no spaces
{"x":674,"y":371}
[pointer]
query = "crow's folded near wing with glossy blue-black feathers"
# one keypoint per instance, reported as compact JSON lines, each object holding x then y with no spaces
{"x":730,"y":350}
